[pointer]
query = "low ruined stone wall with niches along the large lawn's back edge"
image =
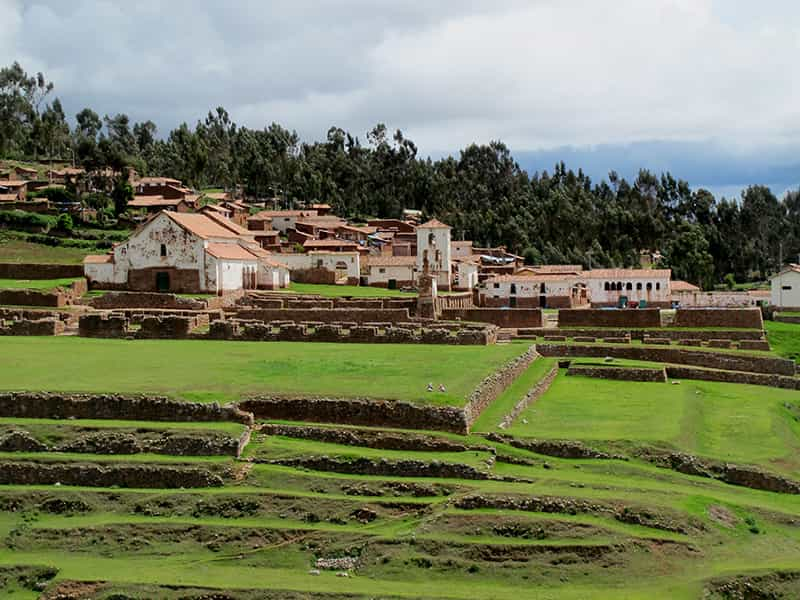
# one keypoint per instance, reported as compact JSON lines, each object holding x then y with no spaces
{"x":386,"y":333}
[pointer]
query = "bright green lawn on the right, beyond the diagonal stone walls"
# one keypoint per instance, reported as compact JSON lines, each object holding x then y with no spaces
{"x":739,"y":423}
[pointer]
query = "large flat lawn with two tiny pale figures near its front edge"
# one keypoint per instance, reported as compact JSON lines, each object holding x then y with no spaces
{"x":207,"y":371}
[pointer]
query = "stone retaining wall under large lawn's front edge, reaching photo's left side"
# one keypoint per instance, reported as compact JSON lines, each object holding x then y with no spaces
{"x":32,"y":405}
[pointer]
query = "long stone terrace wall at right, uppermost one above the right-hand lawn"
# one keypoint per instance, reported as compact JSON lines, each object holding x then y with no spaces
{"x":729,"y":361}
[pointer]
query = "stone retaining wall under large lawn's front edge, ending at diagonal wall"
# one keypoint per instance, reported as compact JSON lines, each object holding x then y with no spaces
{"x":357,"y":411}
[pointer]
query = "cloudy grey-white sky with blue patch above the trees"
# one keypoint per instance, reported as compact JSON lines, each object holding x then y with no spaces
{"x":705,"y":88}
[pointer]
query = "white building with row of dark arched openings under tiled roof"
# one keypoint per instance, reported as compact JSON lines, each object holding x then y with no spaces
{"x":618,"y":287}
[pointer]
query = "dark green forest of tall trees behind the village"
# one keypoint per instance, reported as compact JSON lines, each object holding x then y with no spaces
{"x":550,"y":217}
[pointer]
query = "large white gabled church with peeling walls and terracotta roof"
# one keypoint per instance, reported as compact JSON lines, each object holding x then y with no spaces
{"x":184,"y":253}
